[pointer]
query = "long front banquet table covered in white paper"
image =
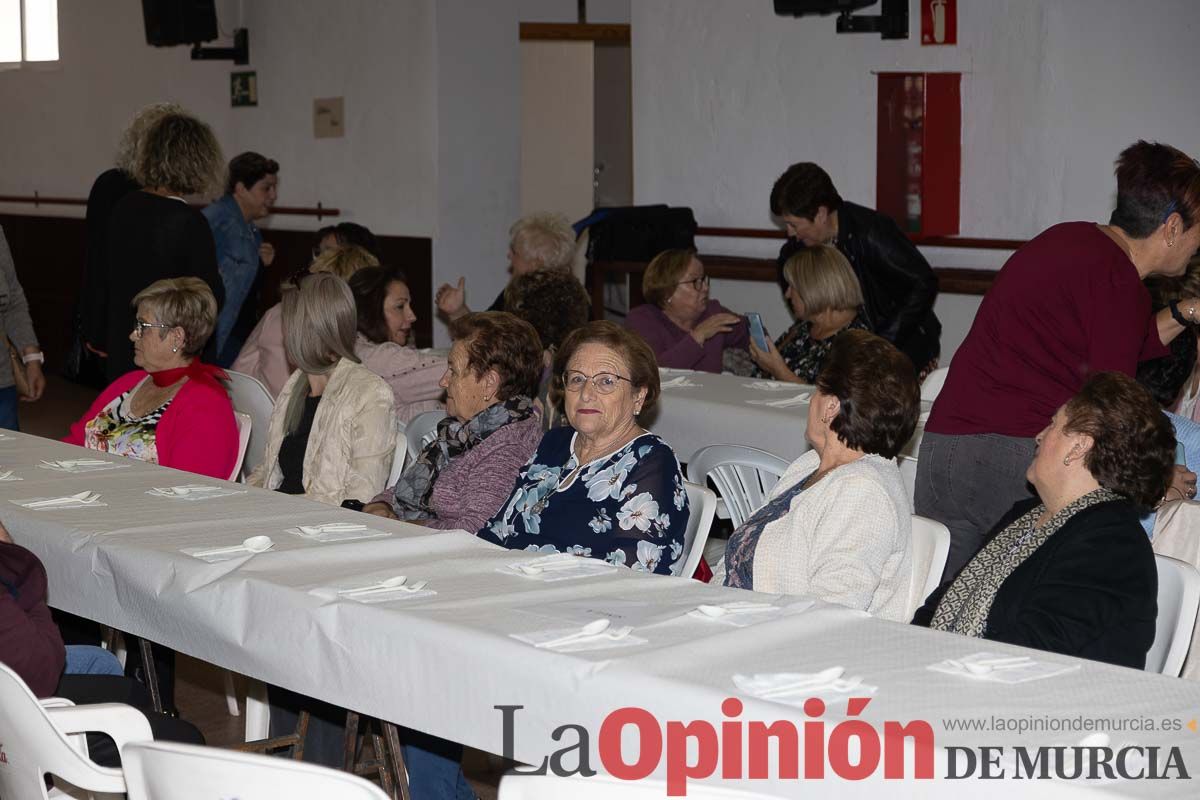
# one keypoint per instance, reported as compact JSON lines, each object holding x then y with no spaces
{"x":442,"y":664}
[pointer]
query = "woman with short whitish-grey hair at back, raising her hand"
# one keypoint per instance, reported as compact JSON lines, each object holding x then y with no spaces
{"x":537,"y":242}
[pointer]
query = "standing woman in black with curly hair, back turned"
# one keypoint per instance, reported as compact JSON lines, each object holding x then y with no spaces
{"x":154,"y":233}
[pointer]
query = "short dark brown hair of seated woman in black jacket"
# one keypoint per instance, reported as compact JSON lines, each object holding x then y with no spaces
{"x":1133,"y":443}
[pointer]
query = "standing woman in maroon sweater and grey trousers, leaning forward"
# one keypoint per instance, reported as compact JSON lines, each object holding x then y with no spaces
{"x":1066,"y":306}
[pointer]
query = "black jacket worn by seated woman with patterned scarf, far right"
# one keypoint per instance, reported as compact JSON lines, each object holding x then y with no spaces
{"x":1091,"y":591}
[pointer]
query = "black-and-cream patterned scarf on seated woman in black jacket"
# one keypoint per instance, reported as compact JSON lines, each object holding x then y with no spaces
{"x":965,"y":607}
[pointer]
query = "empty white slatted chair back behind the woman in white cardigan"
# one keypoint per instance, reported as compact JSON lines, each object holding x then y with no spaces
{"x":743,"y":477}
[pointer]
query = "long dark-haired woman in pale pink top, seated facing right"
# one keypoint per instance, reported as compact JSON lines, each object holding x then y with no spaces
{"x":386,"y":328}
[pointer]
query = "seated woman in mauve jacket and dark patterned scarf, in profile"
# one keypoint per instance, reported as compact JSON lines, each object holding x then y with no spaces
{"x":461,"y":478}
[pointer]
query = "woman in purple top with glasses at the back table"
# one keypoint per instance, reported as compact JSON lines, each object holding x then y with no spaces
{"x":682,"y":326}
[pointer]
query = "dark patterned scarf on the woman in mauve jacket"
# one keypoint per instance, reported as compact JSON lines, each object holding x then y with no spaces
{"x":416,"y":485}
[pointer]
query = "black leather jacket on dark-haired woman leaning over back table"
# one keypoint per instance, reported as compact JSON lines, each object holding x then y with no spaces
{"x":899,"y":286}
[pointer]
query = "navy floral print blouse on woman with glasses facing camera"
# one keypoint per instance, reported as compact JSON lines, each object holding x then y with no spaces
{"x":628,"y":508}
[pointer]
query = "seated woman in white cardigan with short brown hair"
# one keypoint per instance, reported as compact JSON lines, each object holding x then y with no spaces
{"x":838,"y":524}
